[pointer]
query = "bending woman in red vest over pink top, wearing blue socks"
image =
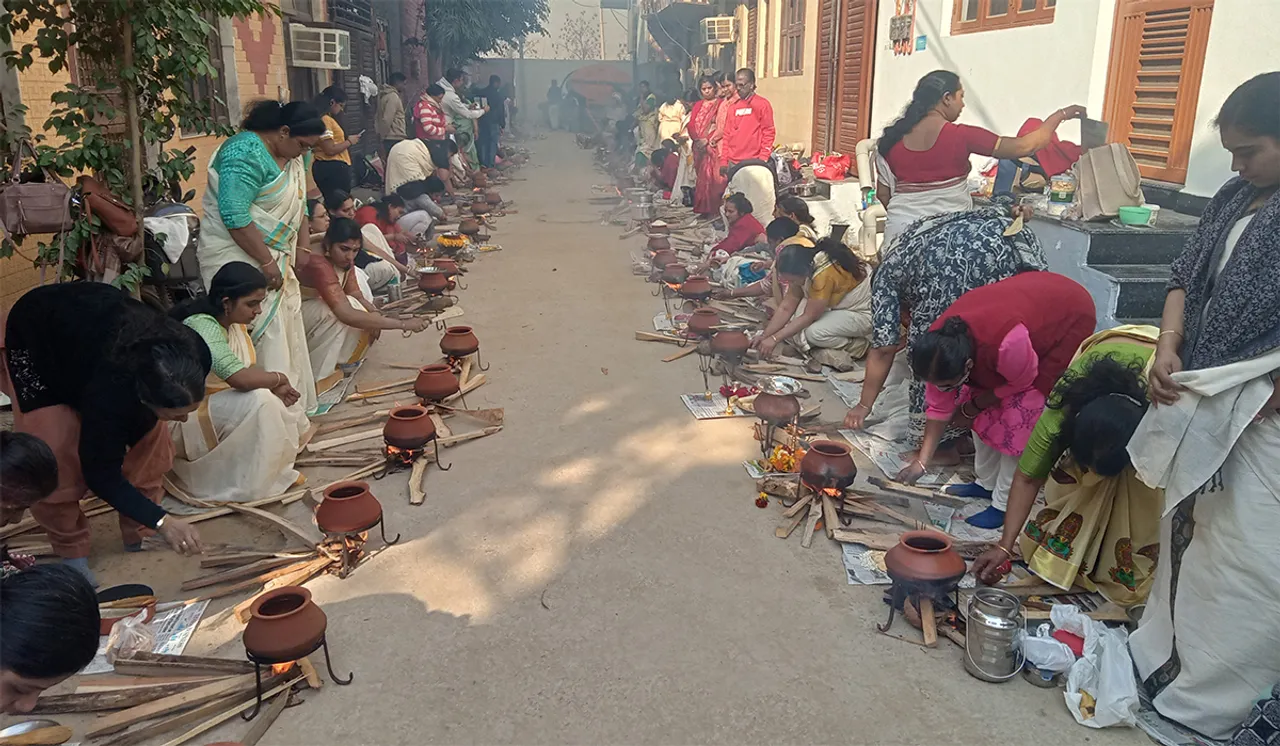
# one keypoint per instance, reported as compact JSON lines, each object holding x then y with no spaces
{"x":991,"y":361}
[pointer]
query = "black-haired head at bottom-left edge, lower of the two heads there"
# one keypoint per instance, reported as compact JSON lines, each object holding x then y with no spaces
{"x":51,"y":621}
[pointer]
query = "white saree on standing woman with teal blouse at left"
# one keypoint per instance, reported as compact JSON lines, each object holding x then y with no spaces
{"x":278,"y":213}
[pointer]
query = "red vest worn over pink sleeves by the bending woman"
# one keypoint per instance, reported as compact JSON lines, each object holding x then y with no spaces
{"x":1055,"y":310}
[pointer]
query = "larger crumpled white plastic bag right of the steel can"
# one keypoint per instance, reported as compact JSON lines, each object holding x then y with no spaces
{"x":1101,"y":690}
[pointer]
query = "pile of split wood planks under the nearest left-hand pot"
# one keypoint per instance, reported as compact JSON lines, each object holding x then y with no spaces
{"x":181,"y":697}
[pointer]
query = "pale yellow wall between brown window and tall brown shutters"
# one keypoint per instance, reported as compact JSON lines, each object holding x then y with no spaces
{"x":792,"y":97}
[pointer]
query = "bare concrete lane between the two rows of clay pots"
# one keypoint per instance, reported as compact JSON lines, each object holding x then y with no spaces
{"x":597,"y":573}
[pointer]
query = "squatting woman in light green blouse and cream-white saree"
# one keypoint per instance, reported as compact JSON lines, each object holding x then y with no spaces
{"x":243,"y":442}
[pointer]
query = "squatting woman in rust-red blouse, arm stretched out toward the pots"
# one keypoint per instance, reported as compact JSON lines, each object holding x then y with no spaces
{"x":340,"y":318}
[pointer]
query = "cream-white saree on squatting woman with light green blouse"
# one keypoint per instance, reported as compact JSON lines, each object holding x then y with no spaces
{"x":239,"y":446}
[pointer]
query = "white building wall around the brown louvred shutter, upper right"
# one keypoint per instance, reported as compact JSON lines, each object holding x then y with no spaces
{"x":1016,"y":74}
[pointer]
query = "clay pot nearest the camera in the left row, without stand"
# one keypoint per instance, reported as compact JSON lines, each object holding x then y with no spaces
{"x":285,"y":625}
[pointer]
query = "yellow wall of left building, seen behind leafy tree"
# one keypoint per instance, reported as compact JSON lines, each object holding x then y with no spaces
{"x":264,"y":80}
